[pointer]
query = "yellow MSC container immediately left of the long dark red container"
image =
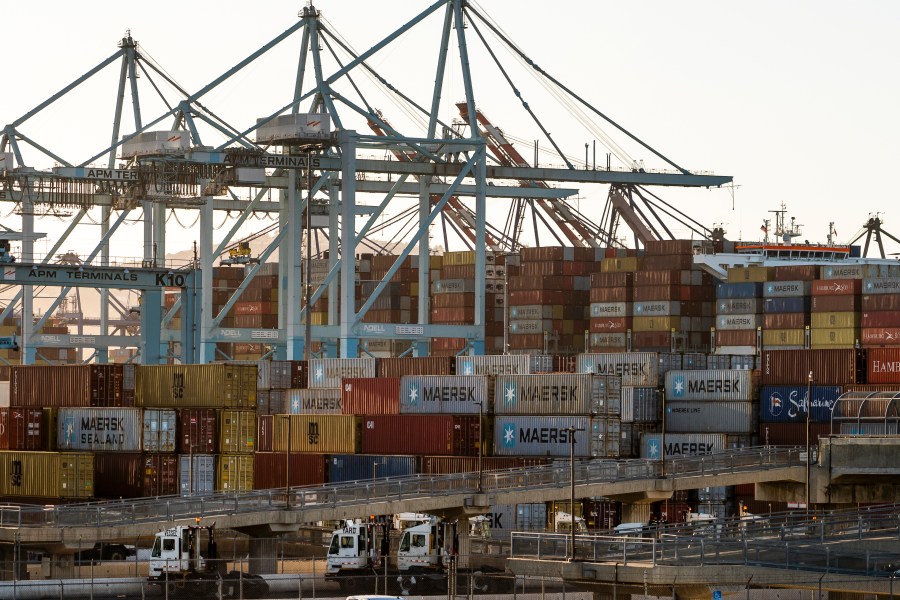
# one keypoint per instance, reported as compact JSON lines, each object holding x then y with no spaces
{"x":337,"y":434}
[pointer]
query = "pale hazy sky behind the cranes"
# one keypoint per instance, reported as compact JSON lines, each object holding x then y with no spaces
{"x":796,"y":100}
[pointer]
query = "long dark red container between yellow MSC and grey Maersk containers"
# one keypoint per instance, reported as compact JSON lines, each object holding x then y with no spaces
{"x":421,"y":434}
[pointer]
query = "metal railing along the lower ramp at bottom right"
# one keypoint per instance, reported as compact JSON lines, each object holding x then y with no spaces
{"x":790,"y":540}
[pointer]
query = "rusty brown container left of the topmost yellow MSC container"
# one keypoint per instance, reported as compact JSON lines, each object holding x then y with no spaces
{"x":40,"y":386}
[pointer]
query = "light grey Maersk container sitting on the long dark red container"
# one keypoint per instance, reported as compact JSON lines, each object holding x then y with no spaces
{"x":444,"y":394}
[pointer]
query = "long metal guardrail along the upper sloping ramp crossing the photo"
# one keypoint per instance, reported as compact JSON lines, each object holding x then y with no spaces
{"x":593,"y":471}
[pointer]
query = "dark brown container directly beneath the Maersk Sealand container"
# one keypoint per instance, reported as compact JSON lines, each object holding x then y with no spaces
{"x":135,"y":475}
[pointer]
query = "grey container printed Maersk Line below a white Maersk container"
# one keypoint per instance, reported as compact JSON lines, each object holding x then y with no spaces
{"x":706,"y":416}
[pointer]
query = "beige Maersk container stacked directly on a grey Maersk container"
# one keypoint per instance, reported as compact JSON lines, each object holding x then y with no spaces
{"x":552,"y":394}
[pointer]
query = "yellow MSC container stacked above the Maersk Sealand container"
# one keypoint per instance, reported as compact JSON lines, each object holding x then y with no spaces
{"x":212,"y":385}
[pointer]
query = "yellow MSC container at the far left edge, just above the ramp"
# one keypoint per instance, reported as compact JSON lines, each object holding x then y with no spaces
{"x":48,"y":475}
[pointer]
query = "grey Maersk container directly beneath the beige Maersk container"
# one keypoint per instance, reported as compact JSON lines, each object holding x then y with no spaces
{"x":543,"y":436}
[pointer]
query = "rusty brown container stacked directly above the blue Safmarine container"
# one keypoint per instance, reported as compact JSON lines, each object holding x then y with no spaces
{"x":828,"y":366}
